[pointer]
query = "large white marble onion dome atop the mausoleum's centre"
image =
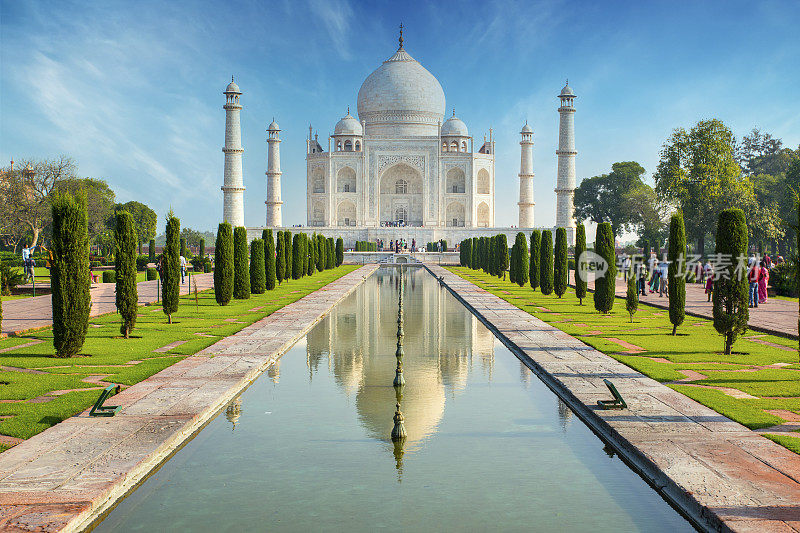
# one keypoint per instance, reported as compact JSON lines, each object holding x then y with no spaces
{"x":401,"y":92}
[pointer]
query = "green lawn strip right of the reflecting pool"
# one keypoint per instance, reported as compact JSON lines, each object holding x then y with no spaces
{"x":697,"y":347}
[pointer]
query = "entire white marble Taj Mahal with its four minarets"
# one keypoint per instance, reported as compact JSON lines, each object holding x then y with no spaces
{"x":402,"y":169}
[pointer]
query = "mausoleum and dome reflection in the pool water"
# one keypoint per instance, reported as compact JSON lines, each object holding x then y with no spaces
{"x":442,"y":340}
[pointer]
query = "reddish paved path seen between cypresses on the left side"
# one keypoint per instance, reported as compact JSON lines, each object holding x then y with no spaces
{"x":36,"y":313}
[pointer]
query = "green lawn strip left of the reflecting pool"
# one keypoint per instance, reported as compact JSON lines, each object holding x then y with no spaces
{"x":125,"y":361}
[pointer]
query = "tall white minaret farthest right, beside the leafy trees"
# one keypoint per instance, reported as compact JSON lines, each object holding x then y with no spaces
{"x":565,"y":181}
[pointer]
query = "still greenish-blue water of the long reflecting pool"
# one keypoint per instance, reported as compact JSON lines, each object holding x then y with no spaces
{"x":307,"y":446}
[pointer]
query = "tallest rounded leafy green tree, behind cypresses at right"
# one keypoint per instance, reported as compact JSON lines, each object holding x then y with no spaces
{"x":698,"y":172}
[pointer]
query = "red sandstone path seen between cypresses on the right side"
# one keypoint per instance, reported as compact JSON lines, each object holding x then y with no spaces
{"x":775,"y":316}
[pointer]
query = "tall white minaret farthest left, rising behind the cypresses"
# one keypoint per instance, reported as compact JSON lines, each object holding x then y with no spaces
{"x":233,"y":187}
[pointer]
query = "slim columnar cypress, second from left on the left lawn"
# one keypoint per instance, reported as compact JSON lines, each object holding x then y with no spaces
{"x":127,"y":297}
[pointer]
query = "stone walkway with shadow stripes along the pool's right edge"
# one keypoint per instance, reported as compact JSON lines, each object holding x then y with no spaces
{"x":720,"y":473}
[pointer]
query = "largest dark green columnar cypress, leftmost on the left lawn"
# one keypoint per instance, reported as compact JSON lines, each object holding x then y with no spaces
{"x":69,"y":276}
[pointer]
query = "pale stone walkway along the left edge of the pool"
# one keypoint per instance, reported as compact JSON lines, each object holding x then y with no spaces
{"x":66,"y":476}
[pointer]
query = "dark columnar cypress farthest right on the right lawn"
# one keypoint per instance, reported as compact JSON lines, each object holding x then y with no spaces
{"x":730,"y":287}
